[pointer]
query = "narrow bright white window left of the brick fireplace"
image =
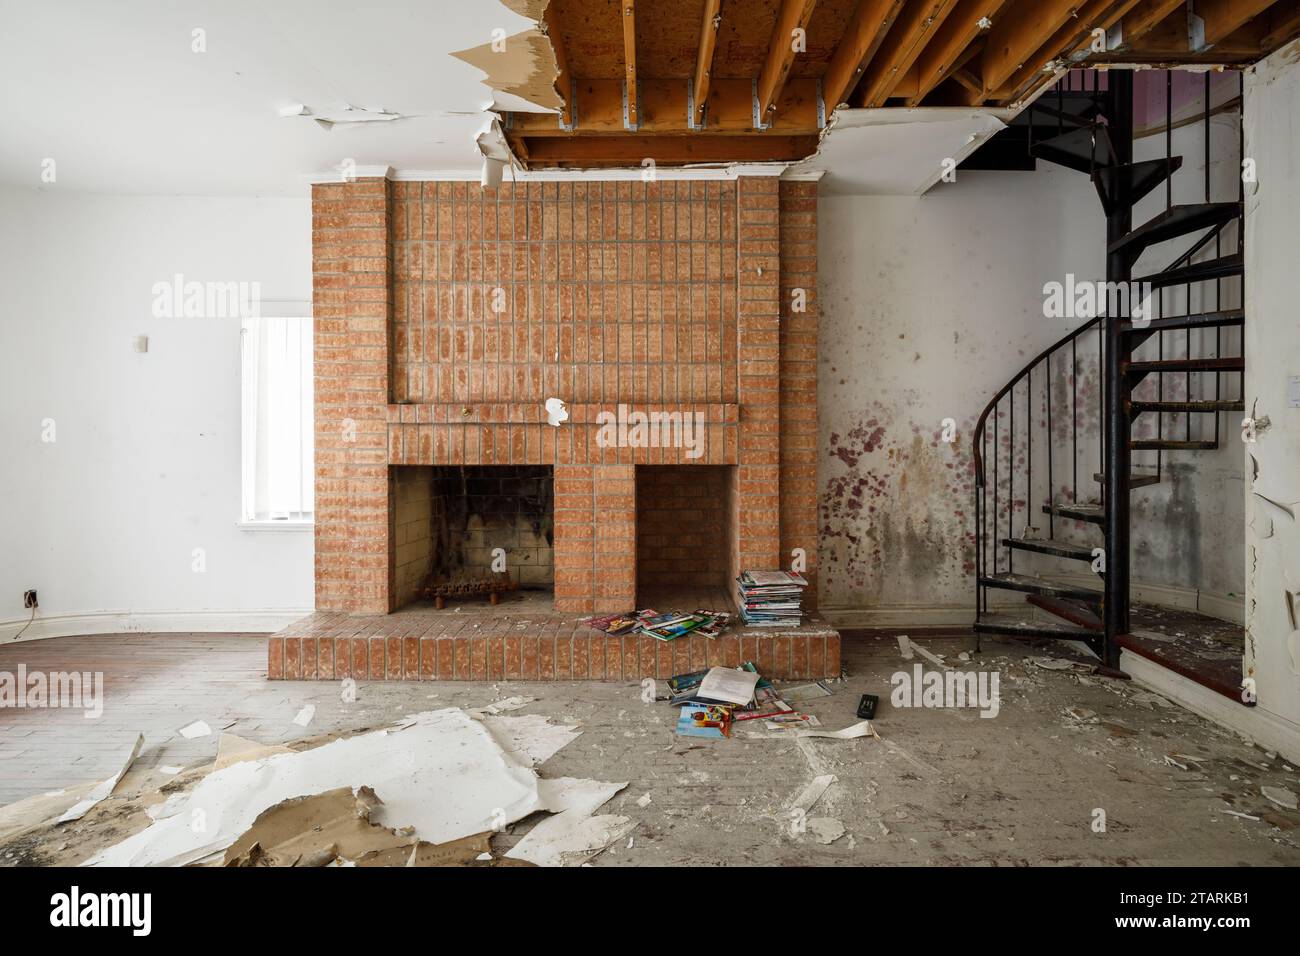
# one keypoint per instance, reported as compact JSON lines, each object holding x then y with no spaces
{"x":257,"y":490}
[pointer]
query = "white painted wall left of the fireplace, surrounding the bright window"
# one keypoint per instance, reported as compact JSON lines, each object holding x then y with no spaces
{"x":146,"y":462}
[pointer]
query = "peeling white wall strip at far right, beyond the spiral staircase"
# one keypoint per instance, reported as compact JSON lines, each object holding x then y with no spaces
{"x":1273,"y":357}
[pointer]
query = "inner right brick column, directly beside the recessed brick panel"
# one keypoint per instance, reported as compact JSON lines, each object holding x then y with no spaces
{"x":757,"y":499}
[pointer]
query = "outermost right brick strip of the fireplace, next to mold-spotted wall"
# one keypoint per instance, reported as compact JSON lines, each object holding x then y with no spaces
{"x":799,"y":327}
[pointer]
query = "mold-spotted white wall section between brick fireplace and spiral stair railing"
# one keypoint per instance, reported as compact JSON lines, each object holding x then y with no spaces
{"x":929,"y":306}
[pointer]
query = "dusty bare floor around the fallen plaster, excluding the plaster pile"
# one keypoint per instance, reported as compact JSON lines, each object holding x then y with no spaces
{"x":941,"y":788}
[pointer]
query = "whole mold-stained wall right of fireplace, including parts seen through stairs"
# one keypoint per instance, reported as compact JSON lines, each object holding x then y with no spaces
{"x":930,"y":306}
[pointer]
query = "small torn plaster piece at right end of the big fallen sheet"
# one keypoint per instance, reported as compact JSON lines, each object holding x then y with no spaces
{"x":573,"y":836}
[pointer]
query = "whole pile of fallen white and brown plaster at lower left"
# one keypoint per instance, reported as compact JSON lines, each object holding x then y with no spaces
{"x":428,"y":791}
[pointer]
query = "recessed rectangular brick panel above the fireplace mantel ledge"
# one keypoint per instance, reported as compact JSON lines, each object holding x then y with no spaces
{"x":599,"y":292}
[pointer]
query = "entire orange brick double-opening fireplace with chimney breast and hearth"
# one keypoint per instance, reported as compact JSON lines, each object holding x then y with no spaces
{"x":448,"y":315}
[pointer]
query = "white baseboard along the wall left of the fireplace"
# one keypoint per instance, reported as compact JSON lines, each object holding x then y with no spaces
{"x":263,"y":621}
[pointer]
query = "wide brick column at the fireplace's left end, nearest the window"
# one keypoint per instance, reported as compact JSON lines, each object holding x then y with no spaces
{"x":352,"y":267}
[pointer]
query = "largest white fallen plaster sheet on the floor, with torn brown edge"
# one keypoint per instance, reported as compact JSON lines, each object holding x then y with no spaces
{"x":445,"y":775}
